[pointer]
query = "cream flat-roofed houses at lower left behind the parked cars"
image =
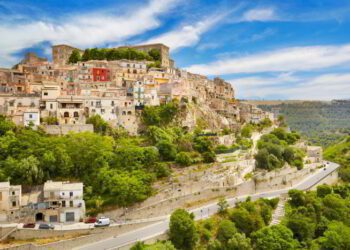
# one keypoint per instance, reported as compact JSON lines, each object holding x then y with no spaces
{"x":55,"y":201}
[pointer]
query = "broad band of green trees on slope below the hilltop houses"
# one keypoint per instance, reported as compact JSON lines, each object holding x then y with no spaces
{"x":116,"y":169}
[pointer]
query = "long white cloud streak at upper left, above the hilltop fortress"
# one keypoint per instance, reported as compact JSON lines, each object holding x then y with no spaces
{"x":84,"y":30}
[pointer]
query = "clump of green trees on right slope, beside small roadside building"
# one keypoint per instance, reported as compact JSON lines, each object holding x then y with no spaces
{"x":275,"y":149}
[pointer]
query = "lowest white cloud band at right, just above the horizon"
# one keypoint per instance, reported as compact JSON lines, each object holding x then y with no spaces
{"x":322,"y":87}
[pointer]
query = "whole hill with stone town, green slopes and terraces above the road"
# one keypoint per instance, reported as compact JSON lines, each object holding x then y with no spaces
{"x":155,"y":166}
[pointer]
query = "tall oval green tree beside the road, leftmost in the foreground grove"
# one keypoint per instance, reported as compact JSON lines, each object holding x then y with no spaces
{"x":182,"y":230}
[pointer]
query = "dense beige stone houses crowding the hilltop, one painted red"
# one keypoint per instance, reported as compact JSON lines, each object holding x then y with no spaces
{"x":61,"y":96}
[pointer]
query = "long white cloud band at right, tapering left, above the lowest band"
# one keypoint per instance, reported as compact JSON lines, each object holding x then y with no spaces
{"x":289,"y":59}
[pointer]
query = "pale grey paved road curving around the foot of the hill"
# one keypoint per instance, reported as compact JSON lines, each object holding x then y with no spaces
{"x":203,"y":212}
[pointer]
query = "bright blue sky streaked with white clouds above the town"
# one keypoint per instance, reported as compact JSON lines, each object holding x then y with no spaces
{"x":267,"y":49}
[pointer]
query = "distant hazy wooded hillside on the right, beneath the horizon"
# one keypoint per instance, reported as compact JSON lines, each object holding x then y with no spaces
{"x":323,"y":123}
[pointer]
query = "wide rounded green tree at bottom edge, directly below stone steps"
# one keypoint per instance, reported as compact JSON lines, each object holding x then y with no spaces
{"x":277,"y":237}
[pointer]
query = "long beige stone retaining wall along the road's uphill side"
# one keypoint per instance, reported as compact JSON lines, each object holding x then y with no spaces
{"x":274,"y":180}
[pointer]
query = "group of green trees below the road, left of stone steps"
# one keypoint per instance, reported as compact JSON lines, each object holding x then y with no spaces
{"x":238,"y":228}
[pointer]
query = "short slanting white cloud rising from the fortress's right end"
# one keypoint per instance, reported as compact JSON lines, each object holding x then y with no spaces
{"x":187,"y":35}
